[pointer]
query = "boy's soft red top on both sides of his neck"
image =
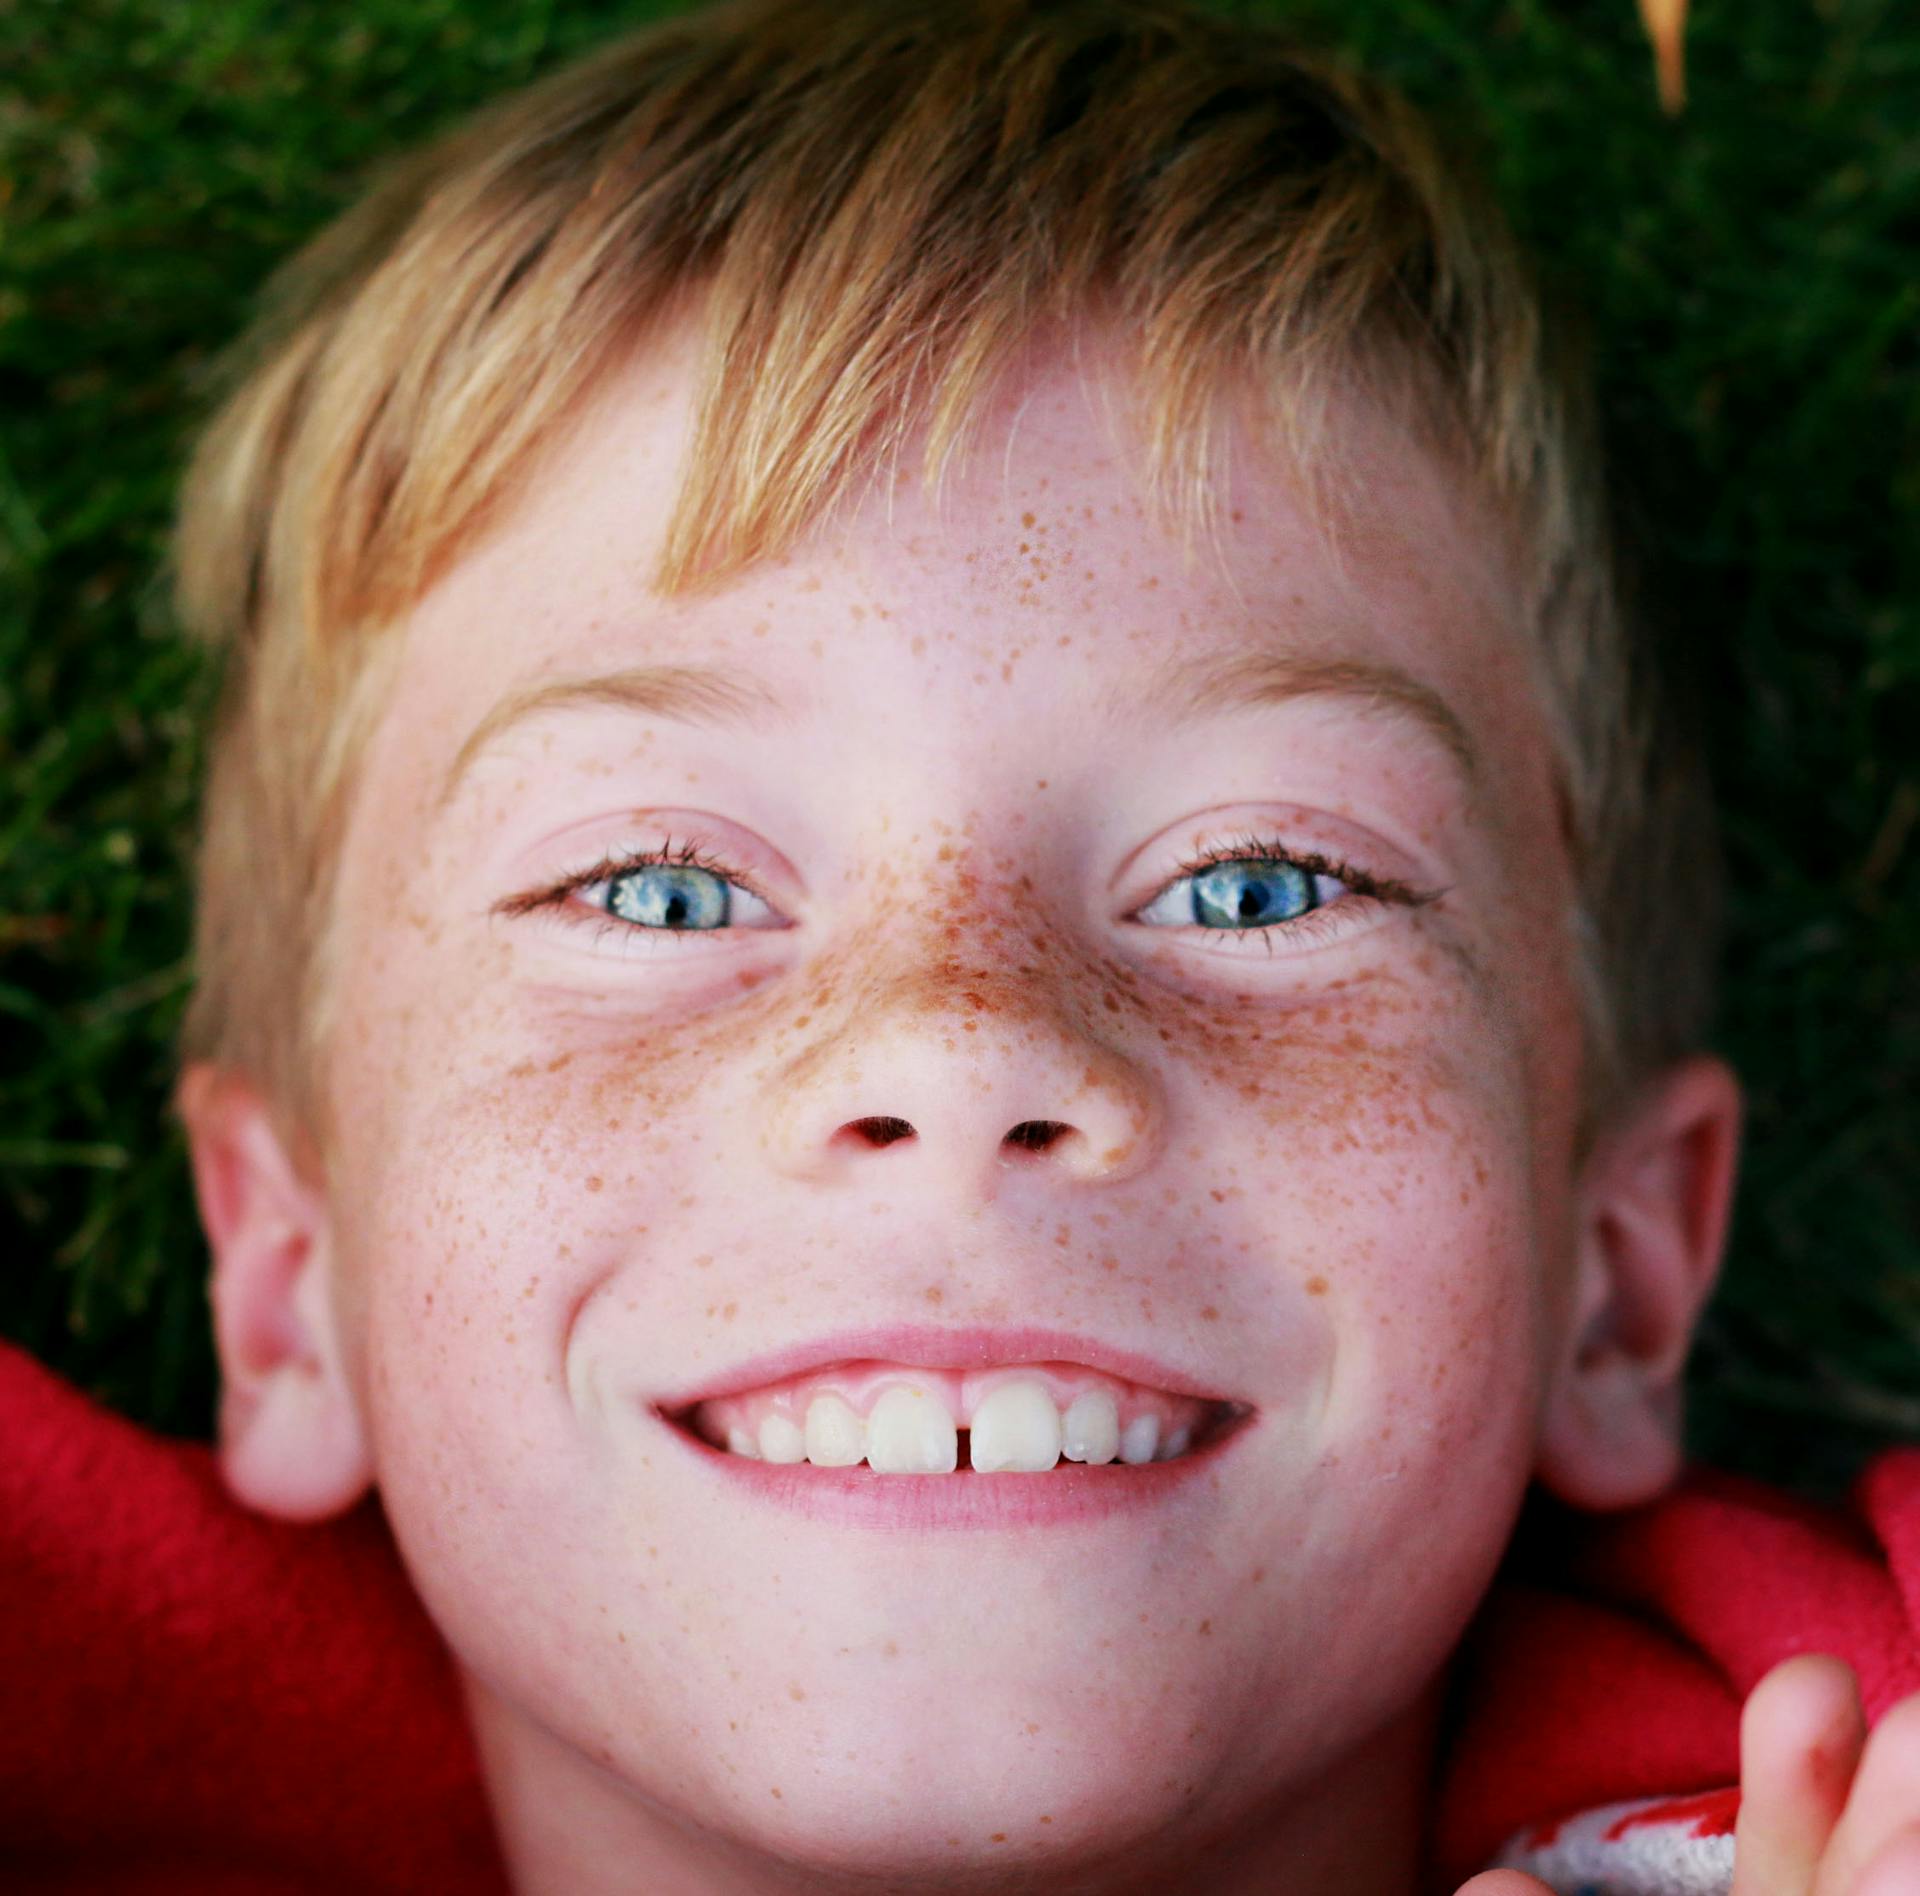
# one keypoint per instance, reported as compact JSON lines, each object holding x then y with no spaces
{"x":206,"y":1701}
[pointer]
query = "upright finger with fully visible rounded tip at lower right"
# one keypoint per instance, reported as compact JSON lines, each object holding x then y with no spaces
{"x":1800,"y":1742}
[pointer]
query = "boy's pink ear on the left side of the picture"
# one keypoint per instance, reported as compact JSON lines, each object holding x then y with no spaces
{"x":291,"y":1433}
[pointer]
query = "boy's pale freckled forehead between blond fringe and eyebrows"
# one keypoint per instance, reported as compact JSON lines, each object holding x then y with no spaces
{"x":1040,"y":577}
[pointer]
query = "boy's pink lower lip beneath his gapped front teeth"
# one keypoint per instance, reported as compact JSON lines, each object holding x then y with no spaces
{"x":1061,"y":1496}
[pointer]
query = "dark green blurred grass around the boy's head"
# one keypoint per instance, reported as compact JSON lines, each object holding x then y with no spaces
{"x":1750,"y":277}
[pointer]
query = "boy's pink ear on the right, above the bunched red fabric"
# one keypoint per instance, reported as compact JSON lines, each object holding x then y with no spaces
{"x":1650,"y":1223}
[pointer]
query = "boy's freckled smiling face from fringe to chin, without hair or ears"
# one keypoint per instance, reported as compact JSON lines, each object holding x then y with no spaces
{"x":1320,"y":1166}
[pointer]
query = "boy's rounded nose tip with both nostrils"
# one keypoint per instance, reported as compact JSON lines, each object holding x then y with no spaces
{"x":949,"y":1085}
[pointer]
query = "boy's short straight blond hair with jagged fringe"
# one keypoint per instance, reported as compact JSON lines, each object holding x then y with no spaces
{"x":876,"y":208}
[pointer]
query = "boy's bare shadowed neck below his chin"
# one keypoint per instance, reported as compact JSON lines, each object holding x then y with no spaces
{"x":571,"y":1826}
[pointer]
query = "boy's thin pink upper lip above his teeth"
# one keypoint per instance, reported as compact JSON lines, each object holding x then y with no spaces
{"x":944,"y":1348}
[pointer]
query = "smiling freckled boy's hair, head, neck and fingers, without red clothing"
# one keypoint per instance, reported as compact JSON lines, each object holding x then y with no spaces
{"x":754,"y":1003}
